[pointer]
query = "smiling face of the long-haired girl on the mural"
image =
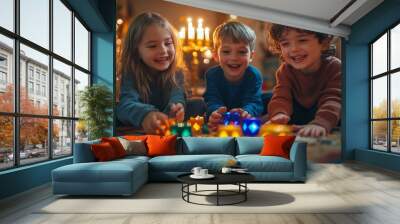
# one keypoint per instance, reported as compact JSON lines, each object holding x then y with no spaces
{"x":156,"y":48}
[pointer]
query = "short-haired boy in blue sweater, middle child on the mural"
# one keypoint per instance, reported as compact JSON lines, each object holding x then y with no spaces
{"x":234,"y":85}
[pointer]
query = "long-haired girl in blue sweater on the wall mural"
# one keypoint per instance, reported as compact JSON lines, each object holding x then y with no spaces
{"x":151,"y":87}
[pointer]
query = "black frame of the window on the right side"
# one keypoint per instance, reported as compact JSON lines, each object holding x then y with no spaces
{"x":388,"y":74}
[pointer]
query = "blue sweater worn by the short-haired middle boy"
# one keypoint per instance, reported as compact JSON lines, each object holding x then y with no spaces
{"x":245,"y":94}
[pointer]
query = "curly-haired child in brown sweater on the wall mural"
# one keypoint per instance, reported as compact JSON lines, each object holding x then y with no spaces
{"x":308,"y":89}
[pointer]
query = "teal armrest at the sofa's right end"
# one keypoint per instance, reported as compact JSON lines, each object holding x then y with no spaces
{"x":298,"y":155}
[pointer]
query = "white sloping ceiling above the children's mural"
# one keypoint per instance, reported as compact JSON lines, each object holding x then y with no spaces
{"x":316,"y":15}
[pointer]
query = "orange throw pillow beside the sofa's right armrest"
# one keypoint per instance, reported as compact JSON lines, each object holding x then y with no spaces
{"x":277,"y":145}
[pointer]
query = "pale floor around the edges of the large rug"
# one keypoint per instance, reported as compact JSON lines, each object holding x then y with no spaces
{"x":353,"y":182}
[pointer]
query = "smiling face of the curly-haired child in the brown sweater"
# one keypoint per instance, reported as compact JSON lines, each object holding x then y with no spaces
{"x":301,"y":50}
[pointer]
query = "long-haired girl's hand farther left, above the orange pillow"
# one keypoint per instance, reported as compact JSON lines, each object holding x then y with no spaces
{"x":153,"y":121}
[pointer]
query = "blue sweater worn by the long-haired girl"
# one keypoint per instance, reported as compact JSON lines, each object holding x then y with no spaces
{"x":131,"y":109}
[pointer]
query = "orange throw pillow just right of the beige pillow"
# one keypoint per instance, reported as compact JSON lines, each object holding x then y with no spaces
{"x":161,"y":145}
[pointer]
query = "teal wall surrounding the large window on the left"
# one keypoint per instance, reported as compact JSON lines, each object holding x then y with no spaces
{"x":99,"y":16}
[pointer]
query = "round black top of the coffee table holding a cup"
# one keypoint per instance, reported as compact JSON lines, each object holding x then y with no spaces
{"x":220,"y":178}
